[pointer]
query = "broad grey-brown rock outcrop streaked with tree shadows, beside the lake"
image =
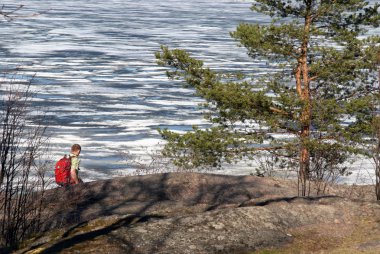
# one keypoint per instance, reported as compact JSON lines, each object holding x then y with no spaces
{"x":202,"y":213}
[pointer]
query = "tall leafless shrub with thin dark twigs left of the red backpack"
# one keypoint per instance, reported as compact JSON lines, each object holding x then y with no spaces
{"x":22,"y":172}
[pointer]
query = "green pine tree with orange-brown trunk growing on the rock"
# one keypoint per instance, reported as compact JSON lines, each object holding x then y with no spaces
{"x":325,"y":76}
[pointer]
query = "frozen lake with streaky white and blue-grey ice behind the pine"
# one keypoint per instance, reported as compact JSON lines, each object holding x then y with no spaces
{"x":96,"y":75}
